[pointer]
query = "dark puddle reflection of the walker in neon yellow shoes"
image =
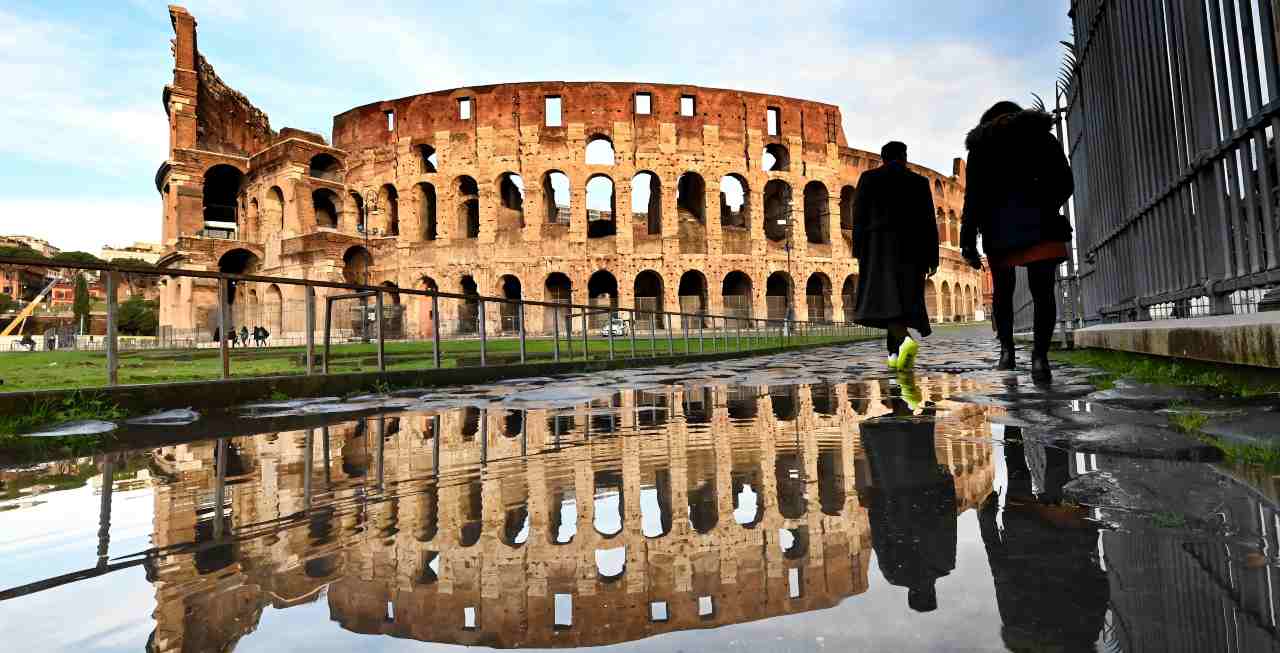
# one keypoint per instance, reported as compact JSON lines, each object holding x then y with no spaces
{"x":913,"y":504}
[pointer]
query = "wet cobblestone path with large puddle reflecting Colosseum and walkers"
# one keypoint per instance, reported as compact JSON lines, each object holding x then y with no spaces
{"x":799,"y":503}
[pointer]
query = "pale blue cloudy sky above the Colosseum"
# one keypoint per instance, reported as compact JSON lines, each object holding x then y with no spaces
{"x":85,"y":127}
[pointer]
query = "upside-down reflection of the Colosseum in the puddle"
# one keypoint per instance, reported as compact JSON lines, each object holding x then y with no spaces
{"x":721,"y":506}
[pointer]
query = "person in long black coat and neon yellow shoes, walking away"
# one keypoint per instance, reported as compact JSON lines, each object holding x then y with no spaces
{"x":897,"y":245}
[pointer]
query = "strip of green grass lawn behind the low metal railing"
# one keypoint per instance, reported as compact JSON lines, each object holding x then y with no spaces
{"x":72,"y":369}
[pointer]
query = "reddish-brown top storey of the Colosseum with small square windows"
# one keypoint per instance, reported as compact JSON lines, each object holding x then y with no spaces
{"x":596,"y":106}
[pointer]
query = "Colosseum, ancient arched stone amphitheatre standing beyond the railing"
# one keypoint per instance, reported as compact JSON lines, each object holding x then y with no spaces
{"x":634,"y":195}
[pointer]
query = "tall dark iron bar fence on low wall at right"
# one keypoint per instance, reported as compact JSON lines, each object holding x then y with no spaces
{"x":1174,"y":130}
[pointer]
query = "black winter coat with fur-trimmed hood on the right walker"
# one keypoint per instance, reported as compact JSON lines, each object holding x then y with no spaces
{"x":1018,"y":180}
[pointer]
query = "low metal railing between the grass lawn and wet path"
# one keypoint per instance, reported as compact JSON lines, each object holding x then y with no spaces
{"x":619,"y":332}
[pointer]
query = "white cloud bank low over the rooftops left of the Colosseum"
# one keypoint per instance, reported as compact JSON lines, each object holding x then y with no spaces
{"x":84,"y":223}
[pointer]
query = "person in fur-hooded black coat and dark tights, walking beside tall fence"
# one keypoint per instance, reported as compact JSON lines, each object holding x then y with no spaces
{"x":1018,"y":181}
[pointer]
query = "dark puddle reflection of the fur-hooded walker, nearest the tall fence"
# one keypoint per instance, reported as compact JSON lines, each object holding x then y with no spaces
{"x":1044,"y":555}
